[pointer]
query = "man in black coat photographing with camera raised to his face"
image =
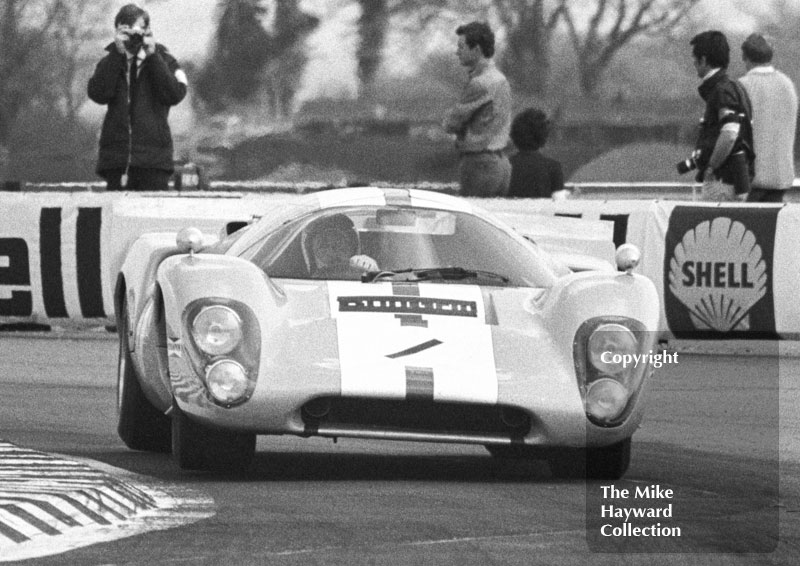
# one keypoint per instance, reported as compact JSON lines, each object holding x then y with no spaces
{"x":139,"y":81}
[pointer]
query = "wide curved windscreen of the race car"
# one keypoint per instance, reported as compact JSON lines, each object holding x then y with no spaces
{"x":403,"y":244}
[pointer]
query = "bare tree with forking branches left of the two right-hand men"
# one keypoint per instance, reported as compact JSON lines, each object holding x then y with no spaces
{"x":612,"y":25}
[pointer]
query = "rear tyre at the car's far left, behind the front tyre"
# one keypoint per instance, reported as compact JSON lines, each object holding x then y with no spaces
{"x":140,"y":425}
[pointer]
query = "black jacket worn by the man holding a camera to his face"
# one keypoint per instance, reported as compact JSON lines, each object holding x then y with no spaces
{"x":139,"y":136}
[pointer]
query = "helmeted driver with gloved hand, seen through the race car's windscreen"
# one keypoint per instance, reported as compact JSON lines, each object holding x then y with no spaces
{"x":333,"y":246}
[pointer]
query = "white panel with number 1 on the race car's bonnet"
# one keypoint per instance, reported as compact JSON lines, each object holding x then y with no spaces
{"x":393,"y":344}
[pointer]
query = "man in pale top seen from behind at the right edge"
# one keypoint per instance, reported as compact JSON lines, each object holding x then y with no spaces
{"x":774,"y":101}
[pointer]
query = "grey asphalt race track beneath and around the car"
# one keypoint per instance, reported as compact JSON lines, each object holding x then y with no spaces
{"x":722,"y":432}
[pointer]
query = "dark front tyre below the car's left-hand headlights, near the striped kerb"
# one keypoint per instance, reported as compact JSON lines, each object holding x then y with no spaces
{"x":198,"y":447}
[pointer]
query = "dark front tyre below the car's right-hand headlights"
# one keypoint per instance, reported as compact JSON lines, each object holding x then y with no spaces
{"x":605,"y":463}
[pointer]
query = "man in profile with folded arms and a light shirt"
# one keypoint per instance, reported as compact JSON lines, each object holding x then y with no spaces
{"x":482,"y":118}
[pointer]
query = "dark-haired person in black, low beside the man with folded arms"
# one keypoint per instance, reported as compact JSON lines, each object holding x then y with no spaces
{"x":534,"y":175}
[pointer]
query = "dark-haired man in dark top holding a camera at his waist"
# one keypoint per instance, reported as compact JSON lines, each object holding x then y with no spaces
{"x":723,"y":154}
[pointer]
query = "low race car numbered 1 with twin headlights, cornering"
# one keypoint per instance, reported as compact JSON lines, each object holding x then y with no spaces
{"x":387,"y":314}
